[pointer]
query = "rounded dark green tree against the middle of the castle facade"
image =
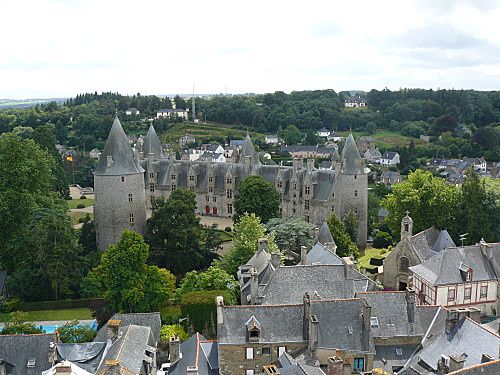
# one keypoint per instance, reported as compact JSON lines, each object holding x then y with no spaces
{"x":258,"y":196}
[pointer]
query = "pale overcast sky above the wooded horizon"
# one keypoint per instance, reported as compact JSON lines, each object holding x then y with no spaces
{"x":58,"y":48}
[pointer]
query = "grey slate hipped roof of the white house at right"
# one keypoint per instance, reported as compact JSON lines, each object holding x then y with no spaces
{"x":444,"y":267}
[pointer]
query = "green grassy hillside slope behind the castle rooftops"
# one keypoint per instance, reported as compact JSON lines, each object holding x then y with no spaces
{"x":204,"y":132}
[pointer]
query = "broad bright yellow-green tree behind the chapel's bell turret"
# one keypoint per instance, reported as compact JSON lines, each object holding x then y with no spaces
{"x":428,"y":199}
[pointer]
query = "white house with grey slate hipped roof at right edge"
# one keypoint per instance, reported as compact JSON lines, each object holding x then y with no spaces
{"x":460,"y":277}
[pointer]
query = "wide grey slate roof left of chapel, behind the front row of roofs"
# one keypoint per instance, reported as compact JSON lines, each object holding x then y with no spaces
{"x":326,"y":281}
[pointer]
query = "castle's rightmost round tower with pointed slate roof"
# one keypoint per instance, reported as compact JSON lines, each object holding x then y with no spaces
{"x":351,"y":188}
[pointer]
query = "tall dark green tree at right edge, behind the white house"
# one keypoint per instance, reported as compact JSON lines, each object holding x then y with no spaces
{"x":478,"y":210}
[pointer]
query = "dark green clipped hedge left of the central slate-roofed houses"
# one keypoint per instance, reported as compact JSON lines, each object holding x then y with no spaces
{"x":200,"y":309}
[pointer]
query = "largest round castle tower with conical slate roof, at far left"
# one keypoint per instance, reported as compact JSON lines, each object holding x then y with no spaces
{"x":120,"y":201}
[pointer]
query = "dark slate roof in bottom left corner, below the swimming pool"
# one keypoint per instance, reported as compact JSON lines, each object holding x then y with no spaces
{"x":17,"y":350}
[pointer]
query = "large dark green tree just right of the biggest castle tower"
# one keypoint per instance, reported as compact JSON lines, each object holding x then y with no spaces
{"x":175,"y":234}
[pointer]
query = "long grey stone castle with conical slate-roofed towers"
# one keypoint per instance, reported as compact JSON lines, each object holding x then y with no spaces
{"x":126,"y":183}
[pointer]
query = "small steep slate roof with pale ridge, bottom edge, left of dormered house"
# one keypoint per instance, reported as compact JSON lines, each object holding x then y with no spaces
{"x":197,"y":351}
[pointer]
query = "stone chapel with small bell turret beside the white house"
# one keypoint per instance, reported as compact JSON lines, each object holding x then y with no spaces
{"x":410,"y":251}
